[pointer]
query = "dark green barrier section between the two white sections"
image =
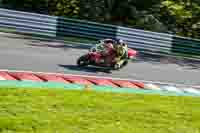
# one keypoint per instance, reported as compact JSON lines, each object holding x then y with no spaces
{"x":81,"y":28}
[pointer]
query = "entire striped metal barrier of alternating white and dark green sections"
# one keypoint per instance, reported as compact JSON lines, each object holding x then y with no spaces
{"x":52,"y":26}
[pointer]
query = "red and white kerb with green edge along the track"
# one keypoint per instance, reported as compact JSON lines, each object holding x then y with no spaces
{"x":99,"y":82}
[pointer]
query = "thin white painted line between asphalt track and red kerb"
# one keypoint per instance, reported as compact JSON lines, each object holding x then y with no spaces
{"x":63,"y":74}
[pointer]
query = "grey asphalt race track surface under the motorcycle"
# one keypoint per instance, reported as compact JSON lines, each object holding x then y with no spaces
{"x":19,"y":53}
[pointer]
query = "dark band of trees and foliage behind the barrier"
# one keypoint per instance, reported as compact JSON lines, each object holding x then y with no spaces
{"x":171,"y":16}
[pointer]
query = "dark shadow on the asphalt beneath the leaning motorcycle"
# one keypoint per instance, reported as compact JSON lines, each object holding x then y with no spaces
{"x":86,"y":69}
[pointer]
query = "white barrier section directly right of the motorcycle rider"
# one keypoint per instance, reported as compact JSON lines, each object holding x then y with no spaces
{"x":146,"y":40}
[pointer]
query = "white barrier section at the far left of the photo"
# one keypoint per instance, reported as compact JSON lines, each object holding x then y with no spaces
{"x":31,"y":23}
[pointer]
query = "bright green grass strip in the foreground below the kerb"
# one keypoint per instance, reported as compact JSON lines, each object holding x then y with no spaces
{"x":61,"y":111}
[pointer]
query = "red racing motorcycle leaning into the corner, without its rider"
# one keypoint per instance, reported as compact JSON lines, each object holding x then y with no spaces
{"x":94,"y":54}
